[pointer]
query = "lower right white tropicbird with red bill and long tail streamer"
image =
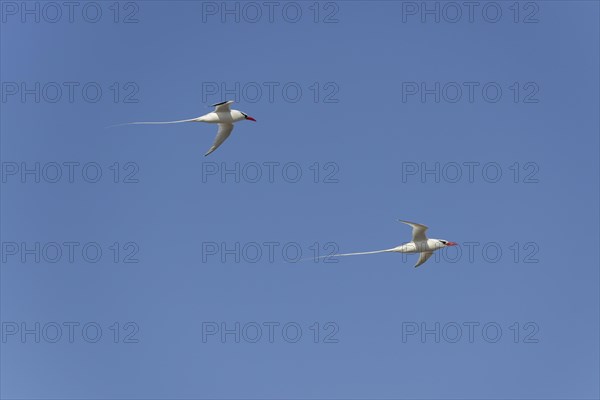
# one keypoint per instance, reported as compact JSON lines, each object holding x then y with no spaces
{"x":419,"y":244}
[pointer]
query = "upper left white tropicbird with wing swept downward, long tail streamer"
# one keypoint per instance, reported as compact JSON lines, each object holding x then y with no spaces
{"x":222,"y":115}
